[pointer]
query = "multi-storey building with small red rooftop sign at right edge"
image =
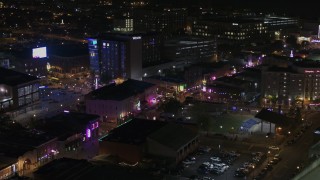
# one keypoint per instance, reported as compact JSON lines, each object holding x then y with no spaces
{"x":301,"y":81}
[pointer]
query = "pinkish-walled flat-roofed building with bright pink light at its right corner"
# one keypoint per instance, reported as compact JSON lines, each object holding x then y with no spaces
{"x":115,"y":103}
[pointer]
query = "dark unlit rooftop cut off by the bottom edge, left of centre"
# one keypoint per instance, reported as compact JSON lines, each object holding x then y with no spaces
{"x":66,"y":168}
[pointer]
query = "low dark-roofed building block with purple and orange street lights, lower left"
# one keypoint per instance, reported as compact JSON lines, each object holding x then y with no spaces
{"x":73,"y":135}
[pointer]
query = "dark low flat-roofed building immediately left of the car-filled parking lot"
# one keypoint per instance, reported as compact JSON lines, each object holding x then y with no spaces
{"x":140,"y":138}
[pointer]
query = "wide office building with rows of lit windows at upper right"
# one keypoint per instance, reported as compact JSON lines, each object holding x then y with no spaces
{"x":242,"y":29}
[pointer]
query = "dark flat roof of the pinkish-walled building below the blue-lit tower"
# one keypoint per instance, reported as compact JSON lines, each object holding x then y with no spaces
{"x":121,"y":91}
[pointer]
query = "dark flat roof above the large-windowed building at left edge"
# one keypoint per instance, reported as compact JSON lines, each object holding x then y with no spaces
{"x":14,"y":78}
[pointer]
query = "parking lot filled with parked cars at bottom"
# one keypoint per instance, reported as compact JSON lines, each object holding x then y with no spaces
{"x":220,"y":165}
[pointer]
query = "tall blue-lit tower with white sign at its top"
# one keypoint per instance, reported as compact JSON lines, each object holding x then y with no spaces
{"x":122,"y":55}
